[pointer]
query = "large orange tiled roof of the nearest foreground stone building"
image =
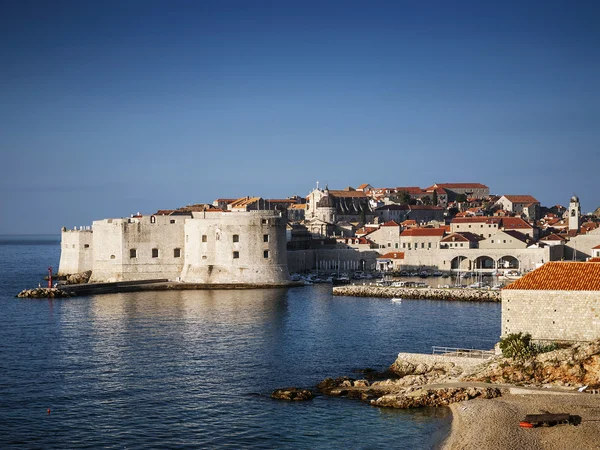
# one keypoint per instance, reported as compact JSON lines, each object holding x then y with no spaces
{"x":560,"y":276}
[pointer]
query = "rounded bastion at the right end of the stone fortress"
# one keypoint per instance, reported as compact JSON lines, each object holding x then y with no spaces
{"x":212,"y":259}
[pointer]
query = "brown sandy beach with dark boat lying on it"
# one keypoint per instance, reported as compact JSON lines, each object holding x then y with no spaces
{"x":494,"y":424}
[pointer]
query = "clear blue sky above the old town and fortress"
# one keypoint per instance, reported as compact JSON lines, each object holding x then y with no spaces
{"x":110,"y":108}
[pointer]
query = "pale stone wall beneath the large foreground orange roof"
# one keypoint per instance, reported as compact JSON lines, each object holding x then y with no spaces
{"x":552,"y":315}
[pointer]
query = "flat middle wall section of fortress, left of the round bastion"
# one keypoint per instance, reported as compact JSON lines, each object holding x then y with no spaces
{"x":115,"y":238}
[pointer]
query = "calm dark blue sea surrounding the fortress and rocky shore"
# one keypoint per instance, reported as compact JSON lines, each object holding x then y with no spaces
{"x":195,"y":369}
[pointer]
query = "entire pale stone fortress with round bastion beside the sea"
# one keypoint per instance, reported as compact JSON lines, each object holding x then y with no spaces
{"x":206,"y":247}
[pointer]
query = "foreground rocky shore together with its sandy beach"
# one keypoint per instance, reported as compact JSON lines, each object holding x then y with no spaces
{"x":489,"y":397}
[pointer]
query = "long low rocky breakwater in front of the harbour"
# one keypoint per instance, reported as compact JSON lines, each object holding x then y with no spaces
{"x":472,"y":295}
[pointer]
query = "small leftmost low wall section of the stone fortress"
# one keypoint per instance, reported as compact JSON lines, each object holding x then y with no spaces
{"x":76,"y":253}
